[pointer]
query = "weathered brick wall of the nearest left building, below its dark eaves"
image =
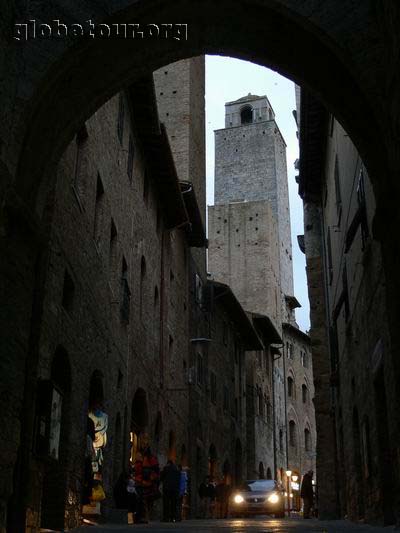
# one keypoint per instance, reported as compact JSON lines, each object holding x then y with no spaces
{"x":91,"y":332}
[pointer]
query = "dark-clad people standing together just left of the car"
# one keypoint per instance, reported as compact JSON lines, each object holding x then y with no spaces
{"x":214,"y":498}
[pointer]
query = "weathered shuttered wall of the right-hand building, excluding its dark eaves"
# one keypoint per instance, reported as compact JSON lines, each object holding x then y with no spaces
{"x":360,"y":337}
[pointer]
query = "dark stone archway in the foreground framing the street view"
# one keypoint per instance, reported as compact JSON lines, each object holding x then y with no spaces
{"x":57,"y":91}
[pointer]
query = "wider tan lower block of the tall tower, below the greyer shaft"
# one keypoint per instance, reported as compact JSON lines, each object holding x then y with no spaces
{"x":243,"y":247}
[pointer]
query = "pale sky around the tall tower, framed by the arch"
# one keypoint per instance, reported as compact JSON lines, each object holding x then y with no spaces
{"x":228,"y":79}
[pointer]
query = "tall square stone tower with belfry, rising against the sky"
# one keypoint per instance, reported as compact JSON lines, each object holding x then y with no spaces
{"x":252,"y":206}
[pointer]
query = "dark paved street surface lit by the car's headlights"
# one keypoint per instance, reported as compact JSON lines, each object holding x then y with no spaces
{"x":253,"y":525}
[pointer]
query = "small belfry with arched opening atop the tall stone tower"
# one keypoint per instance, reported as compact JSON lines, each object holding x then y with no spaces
{"x":247,"y":110}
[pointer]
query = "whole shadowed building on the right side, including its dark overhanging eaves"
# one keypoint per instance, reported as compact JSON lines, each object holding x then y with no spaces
{"x":357,"y":444}
